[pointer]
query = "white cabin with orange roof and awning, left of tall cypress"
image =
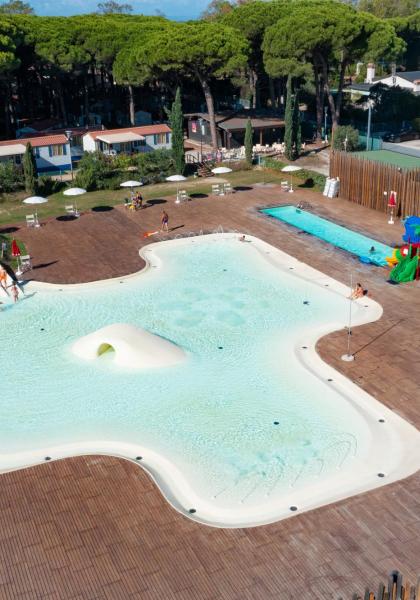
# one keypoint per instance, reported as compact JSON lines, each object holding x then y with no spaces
{"x":128,"y":139}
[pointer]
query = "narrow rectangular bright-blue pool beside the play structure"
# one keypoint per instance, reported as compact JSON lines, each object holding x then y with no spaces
{"x":343,"y":238}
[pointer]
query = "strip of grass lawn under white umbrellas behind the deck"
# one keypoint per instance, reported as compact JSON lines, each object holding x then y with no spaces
{"x":12,"y":210}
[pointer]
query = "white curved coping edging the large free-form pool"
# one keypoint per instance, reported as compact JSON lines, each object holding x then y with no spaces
{"x":171,"y":480}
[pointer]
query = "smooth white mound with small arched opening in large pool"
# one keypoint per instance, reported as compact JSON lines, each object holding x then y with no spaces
{"x":134,"y":348}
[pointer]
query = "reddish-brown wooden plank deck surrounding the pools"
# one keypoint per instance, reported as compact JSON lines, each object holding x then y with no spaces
{"x":97,"y":528}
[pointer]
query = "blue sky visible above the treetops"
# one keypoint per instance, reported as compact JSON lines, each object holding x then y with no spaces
{"x":173,"y":9}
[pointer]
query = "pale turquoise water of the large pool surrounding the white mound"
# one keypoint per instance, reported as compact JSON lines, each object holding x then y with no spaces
{"x":242,"y":419}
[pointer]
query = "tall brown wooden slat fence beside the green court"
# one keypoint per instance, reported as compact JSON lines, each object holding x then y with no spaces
{"x":365,"y":181}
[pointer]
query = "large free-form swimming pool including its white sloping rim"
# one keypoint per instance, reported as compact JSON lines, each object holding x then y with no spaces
{"x":251,"y":428}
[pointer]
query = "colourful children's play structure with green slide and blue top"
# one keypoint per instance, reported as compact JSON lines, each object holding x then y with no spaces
{"x":404,"y":261}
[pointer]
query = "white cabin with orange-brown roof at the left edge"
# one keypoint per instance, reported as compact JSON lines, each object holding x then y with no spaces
{"x":52,"y":152}
